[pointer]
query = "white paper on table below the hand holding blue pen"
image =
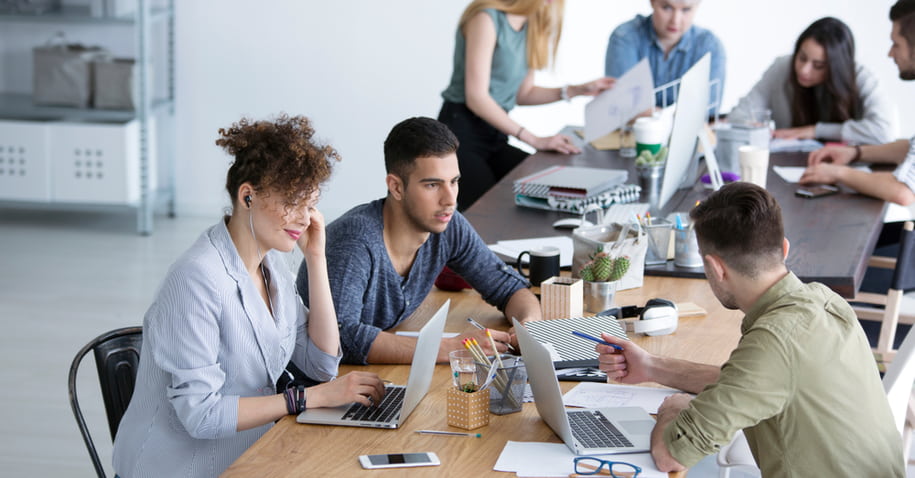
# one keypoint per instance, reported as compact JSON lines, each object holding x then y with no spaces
{"x":599,"y":395}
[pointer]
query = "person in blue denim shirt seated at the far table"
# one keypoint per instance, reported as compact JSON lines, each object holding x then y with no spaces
{"x":671,"y":43}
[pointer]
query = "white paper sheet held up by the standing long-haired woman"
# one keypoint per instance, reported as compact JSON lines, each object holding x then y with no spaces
{"x":632,"y":94}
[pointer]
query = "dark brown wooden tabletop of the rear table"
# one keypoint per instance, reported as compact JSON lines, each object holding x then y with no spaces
{"x":831,"y":237}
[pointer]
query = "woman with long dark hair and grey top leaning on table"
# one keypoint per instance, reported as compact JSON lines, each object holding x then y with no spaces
{"x":820,"y":92}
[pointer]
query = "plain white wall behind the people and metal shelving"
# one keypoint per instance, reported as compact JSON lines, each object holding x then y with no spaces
{"x":358,"y":67}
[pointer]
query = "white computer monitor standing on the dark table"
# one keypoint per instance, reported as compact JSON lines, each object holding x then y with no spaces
{"x":690,"y":117}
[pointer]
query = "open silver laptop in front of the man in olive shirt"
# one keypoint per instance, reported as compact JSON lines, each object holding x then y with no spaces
{"x":586,"y":431}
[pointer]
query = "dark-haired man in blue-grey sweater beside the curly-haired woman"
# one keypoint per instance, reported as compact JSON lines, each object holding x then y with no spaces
{"x":384,"y":256}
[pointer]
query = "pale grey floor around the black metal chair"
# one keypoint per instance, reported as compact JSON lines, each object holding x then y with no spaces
{"x":66,"y":278}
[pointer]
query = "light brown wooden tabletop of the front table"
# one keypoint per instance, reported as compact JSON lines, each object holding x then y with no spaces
{"x":291,"y":449}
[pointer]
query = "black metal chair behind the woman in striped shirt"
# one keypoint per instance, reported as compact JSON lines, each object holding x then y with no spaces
{"x":117,"y":354}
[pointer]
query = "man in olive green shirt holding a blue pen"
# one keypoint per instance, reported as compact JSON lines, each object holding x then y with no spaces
{"x":802,"y":383}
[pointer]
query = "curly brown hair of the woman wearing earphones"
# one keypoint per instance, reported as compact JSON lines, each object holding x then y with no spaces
{"x":277,"y":156}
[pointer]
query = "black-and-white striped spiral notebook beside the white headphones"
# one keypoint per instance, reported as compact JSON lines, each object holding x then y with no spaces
{"x":569,"y":350}
